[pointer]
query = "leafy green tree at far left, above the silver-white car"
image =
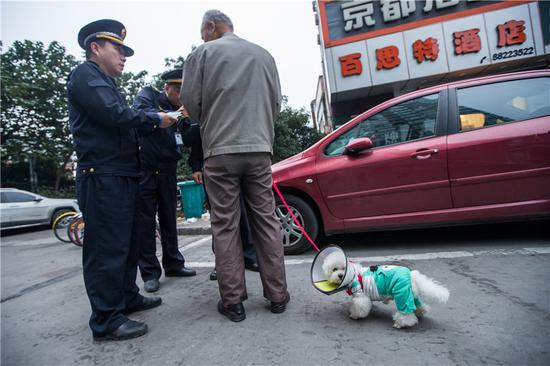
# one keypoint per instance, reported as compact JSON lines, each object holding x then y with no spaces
{"x":34,"y":107}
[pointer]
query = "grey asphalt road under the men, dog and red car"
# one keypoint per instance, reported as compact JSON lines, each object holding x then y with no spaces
{"x":498,"y":313}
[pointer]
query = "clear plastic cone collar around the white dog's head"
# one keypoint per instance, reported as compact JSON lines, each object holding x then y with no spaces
{"x":318,"y":277}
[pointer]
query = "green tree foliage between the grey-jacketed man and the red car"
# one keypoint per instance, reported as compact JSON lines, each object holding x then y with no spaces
{"x":292,"y":133}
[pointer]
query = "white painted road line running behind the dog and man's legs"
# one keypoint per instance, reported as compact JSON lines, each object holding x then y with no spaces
{"x":415,"y":256}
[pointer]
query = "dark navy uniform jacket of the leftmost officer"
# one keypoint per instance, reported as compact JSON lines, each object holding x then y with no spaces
{"x":103,"y":125}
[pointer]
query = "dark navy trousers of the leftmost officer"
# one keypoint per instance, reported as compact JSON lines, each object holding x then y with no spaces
{"x":111,"y":247}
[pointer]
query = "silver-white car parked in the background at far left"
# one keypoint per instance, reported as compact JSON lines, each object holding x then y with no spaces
{"x":21,"y":208}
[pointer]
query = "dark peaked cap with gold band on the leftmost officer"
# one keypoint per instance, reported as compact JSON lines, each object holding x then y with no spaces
{"x":107,"y":29}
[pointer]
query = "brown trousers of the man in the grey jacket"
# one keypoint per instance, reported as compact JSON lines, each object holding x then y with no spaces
{"x":224,"y":176}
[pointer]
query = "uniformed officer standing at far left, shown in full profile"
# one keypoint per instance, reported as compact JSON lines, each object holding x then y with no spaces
{"x":107,"y":180}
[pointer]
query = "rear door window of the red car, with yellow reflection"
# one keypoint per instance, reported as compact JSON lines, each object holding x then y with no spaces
{"x":509,"y":101}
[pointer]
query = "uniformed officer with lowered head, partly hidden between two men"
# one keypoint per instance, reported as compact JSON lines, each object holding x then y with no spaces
{"x":159,"y":155}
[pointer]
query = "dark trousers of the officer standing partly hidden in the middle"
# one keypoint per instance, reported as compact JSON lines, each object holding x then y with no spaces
{"x":158,"y":193}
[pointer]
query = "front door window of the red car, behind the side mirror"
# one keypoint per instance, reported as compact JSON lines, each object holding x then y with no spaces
{"x":410,"y":120}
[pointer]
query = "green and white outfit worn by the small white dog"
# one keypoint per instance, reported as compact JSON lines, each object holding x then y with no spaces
{"x":386,"y":282}
